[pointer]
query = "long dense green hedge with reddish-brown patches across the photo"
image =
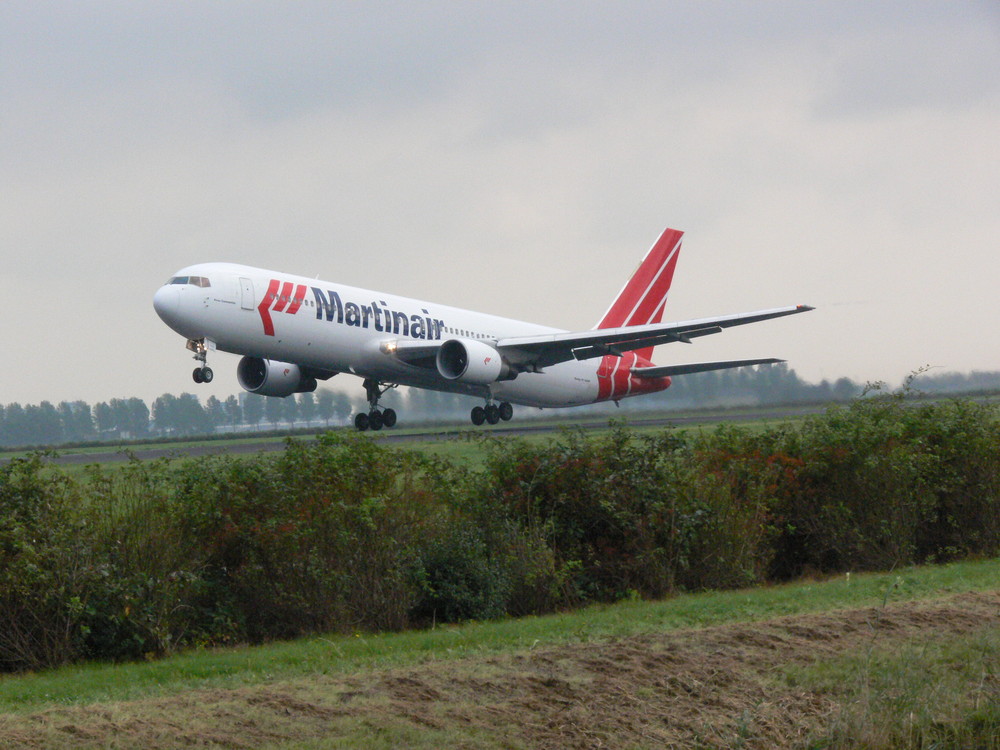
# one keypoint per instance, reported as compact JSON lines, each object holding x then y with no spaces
{"x":340,"y":534}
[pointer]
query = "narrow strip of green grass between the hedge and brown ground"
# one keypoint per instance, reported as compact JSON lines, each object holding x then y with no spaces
{"x":339,"y":654}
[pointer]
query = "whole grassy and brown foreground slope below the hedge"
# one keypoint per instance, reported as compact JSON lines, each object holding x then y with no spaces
{"x":805,"y":665}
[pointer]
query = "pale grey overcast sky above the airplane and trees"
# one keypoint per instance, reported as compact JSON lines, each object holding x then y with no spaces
{"x":517,"y":158}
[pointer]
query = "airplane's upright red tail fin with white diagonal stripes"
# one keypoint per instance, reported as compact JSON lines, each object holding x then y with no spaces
{"x":642,"y":299}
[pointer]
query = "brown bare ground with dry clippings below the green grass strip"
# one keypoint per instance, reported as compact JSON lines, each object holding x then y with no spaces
{"x":712,"y":687}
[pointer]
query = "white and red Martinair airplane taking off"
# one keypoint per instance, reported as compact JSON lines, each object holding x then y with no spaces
{"x":293,"y":331}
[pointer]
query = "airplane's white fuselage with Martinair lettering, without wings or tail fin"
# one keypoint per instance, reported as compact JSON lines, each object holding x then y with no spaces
{"x":336,"y":328}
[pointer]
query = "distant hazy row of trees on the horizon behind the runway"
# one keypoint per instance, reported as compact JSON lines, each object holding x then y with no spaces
{"x":185,"y":415}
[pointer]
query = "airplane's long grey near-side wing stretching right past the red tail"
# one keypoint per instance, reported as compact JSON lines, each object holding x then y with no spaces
{"x":536,"y":352}
